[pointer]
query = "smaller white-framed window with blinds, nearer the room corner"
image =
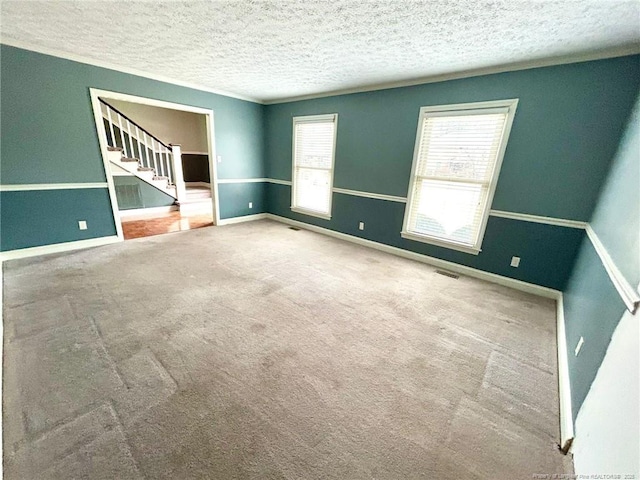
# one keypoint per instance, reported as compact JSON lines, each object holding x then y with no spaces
{"x":314,"y":141}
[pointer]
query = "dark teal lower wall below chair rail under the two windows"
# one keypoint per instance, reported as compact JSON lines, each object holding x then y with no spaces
{"x":547,"y":251}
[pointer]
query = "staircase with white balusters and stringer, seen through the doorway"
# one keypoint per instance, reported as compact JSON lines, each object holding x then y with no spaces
{"x":135,"y":150}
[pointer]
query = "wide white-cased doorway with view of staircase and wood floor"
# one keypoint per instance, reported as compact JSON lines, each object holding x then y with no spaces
{"x":157,"y":185}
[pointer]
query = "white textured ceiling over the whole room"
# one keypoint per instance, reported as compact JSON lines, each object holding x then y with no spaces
{"x":273,"y":49}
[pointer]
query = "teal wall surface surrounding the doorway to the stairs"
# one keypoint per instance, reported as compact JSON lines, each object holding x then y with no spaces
{"x":49,"y":136}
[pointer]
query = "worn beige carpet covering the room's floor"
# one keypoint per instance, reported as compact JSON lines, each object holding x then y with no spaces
{"x":254,"y":351}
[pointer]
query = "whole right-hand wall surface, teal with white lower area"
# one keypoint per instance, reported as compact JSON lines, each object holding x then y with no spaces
{"x":604,"y":375}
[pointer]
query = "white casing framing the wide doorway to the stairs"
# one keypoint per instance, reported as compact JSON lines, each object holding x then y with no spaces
{"x":209,"y":117}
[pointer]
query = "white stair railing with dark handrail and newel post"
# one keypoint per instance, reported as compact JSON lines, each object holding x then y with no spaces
{"x":151,"y":151}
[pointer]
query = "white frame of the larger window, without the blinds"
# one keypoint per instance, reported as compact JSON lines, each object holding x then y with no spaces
{"x":451,"y":110}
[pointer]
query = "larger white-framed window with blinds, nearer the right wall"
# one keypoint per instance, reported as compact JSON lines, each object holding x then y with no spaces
{"x":457,"y":158}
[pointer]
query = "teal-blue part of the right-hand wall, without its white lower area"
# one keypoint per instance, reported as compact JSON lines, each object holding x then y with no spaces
{"x":592,"y":305}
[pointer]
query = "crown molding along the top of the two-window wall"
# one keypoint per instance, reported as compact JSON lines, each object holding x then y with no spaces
{"x":512,"y":67}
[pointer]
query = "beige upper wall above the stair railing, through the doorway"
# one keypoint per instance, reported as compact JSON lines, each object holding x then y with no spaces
{"x":171,"y":126}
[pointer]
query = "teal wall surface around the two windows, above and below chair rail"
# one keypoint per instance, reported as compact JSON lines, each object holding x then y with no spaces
{"x":565,"y":133}
